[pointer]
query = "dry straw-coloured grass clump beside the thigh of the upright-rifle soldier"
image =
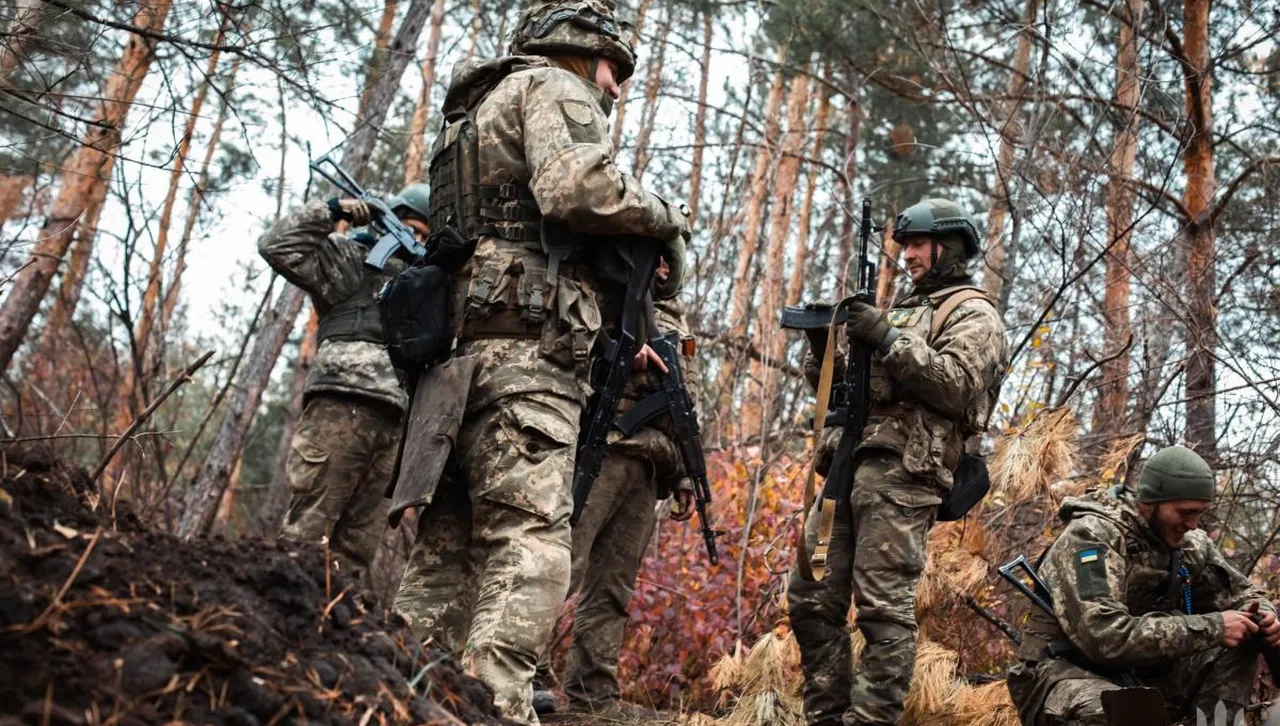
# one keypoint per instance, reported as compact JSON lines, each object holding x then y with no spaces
{"x":957,"y":564}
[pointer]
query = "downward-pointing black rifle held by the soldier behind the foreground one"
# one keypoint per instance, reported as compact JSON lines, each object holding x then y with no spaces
{"x":673,"y":399}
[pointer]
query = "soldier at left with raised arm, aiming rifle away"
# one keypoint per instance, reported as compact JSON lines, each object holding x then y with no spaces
{"x":346,"y":440}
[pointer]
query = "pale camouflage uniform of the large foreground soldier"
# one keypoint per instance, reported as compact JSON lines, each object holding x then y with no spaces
{"x":491,"y":565}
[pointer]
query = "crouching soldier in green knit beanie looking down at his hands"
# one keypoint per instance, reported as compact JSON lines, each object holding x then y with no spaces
{"x":1141,"y":595}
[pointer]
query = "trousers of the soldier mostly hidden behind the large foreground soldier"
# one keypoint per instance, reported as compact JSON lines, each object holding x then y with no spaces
{"x":609,"y":545}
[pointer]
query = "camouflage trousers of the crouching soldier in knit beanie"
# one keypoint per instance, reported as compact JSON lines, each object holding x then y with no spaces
{"x":1195,"y":684}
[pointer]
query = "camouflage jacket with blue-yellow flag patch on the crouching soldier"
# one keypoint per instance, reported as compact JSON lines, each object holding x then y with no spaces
{"x":1118,"y":592}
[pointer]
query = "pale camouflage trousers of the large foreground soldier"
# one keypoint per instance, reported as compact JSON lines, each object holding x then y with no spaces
{"x":491,"y":564}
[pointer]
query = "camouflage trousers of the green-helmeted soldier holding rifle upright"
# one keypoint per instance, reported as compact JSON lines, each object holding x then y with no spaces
{"x":876,"y":559}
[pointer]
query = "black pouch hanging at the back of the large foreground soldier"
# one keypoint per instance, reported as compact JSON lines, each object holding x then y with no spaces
{"x":415,"y":308}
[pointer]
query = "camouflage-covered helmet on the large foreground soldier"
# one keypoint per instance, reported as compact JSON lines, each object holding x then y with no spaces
{"x":586,"y":28}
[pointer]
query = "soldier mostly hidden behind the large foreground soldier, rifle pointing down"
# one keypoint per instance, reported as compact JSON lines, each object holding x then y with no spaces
{"x":611,"y":540}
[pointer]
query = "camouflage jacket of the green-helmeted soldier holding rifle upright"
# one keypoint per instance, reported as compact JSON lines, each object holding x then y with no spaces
{"x":927,"y":395}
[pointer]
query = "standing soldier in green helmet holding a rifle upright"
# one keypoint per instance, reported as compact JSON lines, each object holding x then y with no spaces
{"x":934,"y":383}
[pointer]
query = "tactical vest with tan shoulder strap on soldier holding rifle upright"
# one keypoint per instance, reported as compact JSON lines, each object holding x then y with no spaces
{"x":929,"y":440}
